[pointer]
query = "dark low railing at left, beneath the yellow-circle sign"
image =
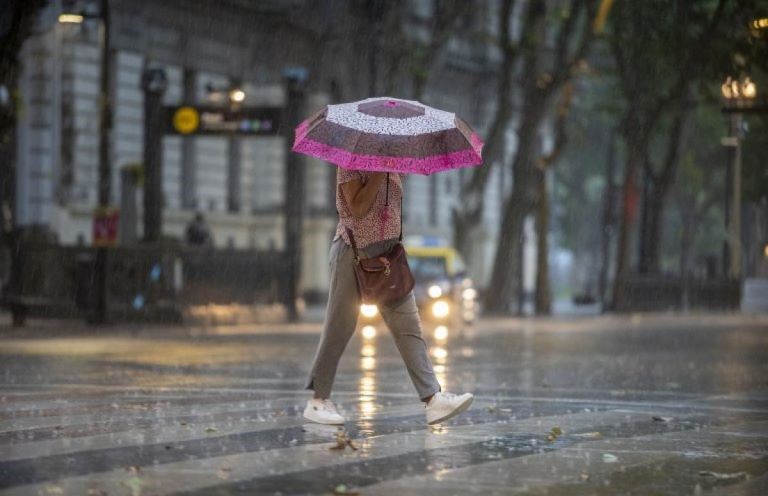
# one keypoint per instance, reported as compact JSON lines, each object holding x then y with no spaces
{"x":145,"y":282}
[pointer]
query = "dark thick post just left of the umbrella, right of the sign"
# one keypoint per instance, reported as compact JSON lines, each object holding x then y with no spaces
{"x":294,"y":190}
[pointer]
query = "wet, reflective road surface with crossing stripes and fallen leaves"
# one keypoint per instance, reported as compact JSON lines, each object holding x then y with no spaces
{"x":609,"y":405}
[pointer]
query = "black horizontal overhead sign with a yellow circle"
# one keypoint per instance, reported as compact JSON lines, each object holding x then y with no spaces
{"x":210,"y":120}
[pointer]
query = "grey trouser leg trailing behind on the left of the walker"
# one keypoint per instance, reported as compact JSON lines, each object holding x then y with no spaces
{"x":340,"y":321}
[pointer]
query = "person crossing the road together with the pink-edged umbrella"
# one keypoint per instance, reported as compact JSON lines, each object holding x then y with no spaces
{"x":373,"y":142}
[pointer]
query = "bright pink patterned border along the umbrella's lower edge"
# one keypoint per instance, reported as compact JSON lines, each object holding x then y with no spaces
{"x":378,"y":163}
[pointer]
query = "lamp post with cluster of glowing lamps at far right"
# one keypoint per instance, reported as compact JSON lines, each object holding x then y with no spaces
{"x":738,"y":95}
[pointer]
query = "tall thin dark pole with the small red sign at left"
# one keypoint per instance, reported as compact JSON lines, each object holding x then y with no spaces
{"x":105,"y":177}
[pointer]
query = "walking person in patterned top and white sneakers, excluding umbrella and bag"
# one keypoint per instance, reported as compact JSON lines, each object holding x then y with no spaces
{"x":369,"y":205}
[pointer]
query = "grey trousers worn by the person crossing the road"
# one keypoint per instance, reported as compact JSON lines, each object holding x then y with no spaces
{"x":402,"y":318}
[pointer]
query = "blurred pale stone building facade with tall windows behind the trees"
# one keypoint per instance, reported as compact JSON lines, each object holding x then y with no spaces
{"x":205,"y":49}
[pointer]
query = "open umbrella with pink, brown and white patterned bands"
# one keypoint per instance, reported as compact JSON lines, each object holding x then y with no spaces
{"x":389,"y":135}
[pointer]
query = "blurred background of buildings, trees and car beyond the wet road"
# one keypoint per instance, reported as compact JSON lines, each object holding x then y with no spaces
{"x":145,"y":171}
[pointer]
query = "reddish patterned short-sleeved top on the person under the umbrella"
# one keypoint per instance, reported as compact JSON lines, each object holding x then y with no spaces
{"x":380,"y":222}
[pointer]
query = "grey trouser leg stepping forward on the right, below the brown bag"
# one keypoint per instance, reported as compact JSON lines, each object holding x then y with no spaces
{"x":404,"y":323}
